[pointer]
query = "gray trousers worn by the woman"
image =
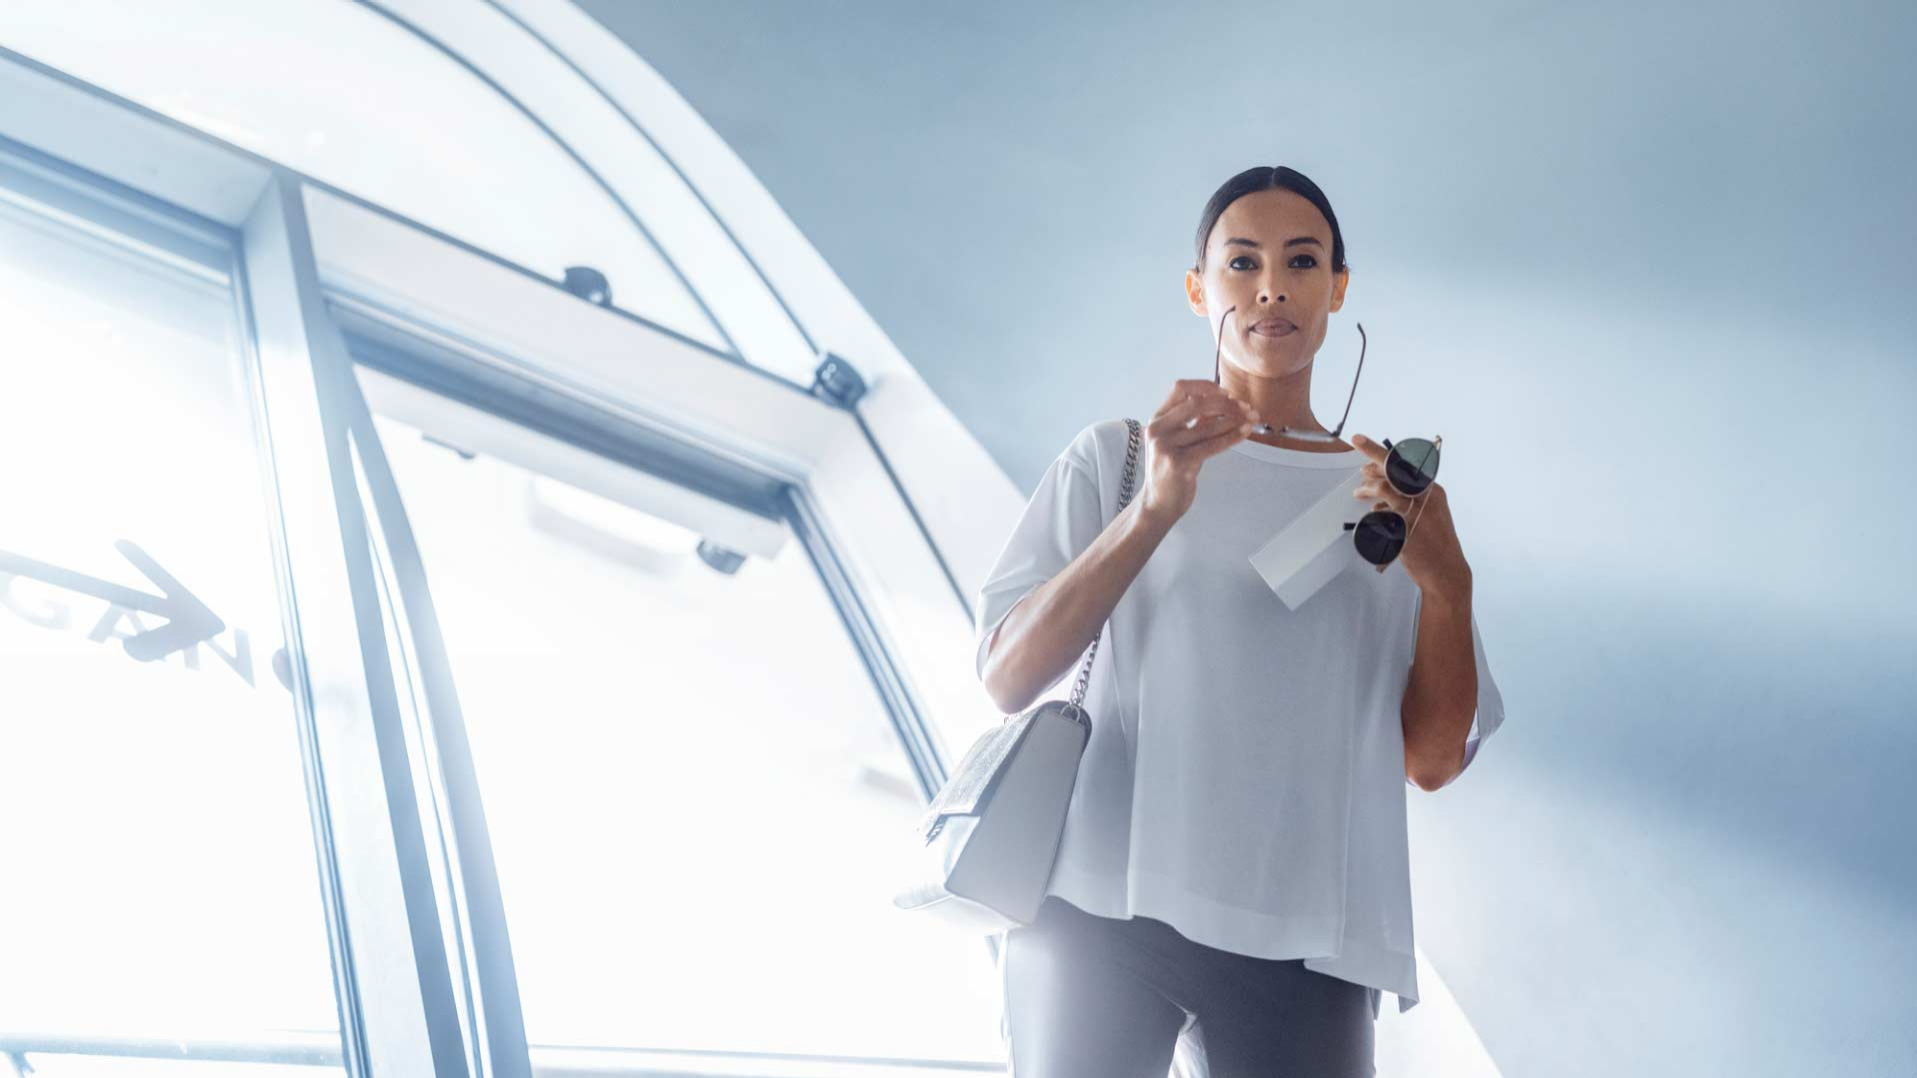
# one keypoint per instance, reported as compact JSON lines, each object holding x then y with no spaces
{"x":1101,"y":998}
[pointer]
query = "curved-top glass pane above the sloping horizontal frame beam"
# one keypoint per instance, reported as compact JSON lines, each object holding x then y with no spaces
{"x":348,"y":97}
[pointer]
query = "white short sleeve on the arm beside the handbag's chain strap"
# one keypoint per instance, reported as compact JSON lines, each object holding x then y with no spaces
{"x":1061,"y":521}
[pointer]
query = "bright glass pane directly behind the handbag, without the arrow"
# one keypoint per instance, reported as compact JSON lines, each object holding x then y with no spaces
{"x":695,"y":795}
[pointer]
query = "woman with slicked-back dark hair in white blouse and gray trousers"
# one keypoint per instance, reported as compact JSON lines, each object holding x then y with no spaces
{"x":1234,"y":866}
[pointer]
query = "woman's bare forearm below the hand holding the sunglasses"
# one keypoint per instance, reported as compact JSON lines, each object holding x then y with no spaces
{"x":1443,"y":693}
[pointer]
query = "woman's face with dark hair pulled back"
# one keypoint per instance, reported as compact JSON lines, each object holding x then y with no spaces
{"x":1270,"y":258}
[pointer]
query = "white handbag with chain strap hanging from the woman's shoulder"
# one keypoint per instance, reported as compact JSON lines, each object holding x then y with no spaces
{"x":990,"y":837}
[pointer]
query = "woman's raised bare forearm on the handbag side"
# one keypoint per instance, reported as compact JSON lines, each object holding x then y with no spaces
{"x":1051,"y":628}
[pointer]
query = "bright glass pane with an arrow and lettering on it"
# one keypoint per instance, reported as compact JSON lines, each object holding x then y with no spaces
{"x":158,"y":874}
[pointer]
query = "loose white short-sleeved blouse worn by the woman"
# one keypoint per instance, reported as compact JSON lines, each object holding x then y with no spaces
{"x":1245,"y":780}
